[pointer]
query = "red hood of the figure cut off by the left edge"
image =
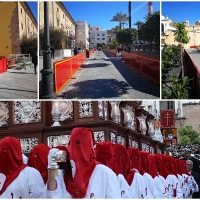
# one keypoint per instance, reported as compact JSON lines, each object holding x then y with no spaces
{"x":11,"y":160}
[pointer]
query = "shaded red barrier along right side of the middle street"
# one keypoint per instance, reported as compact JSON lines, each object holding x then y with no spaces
{"x":147,"y":66}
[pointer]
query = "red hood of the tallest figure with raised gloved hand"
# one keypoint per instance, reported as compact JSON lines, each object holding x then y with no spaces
{"x":83,"y":161}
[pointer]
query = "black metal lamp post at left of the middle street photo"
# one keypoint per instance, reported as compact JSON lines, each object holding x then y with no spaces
{"x":47,"y":72}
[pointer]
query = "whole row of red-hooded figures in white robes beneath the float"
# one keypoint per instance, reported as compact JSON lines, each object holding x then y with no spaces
{"x":102,"y":170}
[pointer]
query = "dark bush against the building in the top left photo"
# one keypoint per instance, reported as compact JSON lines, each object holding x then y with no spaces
{"x":29,"y":45}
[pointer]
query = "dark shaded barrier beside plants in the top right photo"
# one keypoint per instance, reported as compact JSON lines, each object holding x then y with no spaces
{"x":193,"y":71}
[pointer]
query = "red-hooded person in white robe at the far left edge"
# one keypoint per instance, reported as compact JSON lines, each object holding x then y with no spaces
{"x":17,"y":180}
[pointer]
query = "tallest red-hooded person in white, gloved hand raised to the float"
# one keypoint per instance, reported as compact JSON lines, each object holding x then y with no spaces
{"x":88,"y":178}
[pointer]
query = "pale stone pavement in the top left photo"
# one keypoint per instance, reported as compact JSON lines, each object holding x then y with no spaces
{"x":19,"y":84}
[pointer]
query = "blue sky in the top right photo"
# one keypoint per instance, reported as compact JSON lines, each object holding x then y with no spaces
{"x":181,"y":11}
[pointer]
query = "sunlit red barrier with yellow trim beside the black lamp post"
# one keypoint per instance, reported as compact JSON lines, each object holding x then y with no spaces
{"x":65,"y":69}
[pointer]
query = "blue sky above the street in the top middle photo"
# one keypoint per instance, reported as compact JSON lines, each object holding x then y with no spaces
{"x":100,"y":13}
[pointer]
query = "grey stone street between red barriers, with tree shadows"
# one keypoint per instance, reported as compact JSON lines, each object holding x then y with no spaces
{"x":107,"y":77}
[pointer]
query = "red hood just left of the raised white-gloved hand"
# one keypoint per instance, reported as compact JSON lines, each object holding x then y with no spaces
{"x":39,"y":160}
